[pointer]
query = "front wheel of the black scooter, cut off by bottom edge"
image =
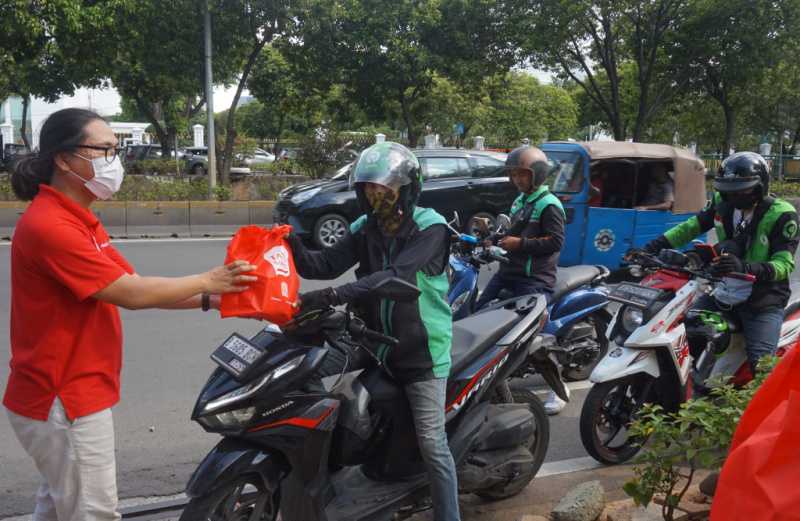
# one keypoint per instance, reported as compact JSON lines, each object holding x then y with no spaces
{"x":245,"y":498}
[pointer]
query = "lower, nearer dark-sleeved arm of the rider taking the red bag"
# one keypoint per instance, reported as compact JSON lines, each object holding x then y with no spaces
{"x":424,"y":249}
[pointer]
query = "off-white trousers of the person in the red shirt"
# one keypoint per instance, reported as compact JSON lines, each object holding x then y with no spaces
{"x":77,"y":464}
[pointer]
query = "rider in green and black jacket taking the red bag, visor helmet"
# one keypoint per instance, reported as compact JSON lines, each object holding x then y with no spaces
{"x":396,"y":238}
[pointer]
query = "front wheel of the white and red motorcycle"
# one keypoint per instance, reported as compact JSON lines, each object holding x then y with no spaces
{"x":607,"y":413}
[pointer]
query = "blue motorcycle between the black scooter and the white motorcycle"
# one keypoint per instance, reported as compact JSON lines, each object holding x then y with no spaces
{"x":577,"y":316}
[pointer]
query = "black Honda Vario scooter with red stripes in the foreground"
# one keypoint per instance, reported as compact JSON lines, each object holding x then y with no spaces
{"x":350,"y":452}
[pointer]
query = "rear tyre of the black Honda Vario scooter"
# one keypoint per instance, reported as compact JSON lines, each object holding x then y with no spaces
{"x":537,"y":445}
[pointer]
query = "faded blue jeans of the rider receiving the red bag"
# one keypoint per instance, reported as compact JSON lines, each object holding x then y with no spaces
{"x":427,"y":400}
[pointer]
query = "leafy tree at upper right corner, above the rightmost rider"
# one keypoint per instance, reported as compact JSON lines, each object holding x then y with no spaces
{"x":728,"y":46}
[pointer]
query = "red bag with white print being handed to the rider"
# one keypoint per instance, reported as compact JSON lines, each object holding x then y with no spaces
{"x":273,"y":295}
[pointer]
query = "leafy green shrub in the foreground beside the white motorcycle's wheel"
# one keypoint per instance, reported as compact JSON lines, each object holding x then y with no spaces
{"x":696,"y":437}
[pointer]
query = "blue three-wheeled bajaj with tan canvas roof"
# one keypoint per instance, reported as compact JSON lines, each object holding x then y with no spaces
{"x":604,"y":186}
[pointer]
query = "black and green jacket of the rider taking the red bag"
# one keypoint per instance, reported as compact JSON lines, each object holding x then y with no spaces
{"x":418,"y":253}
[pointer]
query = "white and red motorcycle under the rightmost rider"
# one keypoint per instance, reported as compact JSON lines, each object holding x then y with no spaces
{"x":649,"y":358}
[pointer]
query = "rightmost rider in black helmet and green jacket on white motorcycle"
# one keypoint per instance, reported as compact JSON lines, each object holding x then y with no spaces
{"x":757,"y":234}
